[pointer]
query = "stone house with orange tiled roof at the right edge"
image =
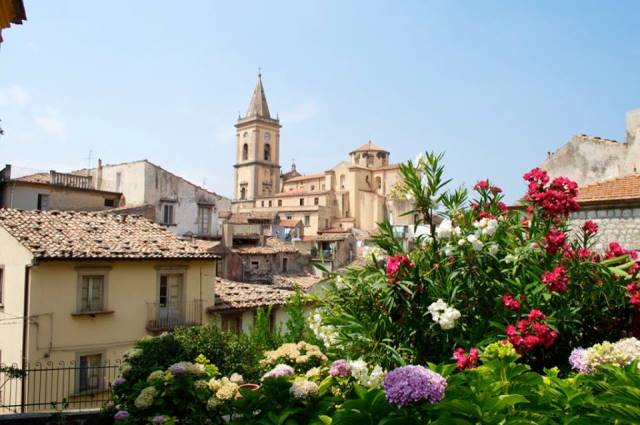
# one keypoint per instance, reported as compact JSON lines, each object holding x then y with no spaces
{"x":614,"y":205}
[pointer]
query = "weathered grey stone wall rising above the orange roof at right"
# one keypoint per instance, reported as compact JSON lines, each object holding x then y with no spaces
{"x":588,"y":159}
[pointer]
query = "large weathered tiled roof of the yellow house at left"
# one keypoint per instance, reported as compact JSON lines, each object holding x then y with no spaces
{"x":91,"y":235}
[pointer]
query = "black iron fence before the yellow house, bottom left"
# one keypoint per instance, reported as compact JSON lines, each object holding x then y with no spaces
{"x":56,"y":386}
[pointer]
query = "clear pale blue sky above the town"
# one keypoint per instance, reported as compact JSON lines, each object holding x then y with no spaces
{"x":494,"y":84}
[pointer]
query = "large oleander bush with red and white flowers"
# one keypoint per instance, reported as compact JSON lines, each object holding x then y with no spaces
{"x":480,"y":271}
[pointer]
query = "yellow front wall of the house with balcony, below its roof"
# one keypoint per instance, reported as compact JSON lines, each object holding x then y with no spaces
{"x":56,"y":334}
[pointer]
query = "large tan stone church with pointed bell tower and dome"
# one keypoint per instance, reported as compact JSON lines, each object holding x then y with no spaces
{"x":353,"y":194}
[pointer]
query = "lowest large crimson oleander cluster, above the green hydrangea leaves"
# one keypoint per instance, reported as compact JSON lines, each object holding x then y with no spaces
{"x":531,"y":333}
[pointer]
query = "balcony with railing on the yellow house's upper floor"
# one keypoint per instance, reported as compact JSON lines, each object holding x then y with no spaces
{"x":163,"y":317}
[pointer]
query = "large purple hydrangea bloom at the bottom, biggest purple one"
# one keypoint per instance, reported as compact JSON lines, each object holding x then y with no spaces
{"x":409,"y":384}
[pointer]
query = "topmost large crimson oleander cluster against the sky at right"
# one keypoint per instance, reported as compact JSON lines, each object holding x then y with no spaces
{"x":556,"y":199}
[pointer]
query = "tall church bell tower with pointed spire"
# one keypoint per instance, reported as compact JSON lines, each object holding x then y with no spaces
{"x":257,"y":167}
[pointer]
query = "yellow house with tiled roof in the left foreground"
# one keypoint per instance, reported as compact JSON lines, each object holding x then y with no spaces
{"x":80,"y":288}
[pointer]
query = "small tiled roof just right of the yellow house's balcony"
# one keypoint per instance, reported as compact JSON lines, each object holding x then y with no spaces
{"x":232,"y":295}
